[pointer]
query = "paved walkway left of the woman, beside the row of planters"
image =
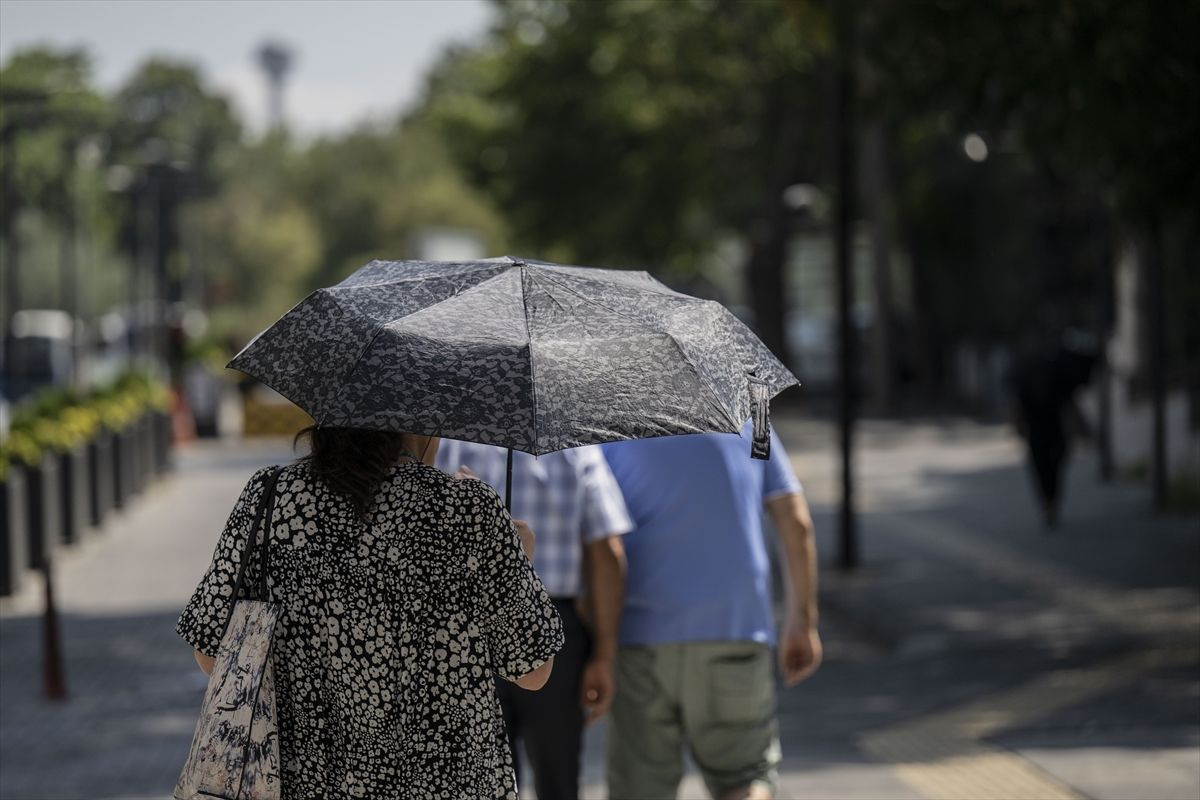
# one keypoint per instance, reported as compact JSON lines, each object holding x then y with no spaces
{"x":134,"y":688}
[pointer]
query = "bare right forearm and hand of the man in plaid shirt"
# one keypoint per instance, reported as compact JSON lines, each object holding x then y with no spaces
{"x":607,"y":584}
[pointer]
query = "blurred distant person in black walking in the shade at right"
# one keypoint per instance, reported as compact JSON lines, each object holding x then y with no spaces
{"x":1046,"y":383}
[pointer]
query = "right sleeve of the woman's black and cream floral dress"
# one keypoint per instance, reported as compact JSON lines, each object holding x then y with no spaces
{"x":519,"y":619}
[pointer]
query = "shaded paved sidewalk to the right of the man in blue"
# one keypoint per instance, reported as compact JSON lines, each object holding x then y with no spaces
{"x":1017,"y":663}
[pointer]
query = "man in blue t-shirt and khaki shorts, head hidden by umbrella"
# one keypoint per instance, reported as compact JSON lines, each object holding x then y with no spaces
{"x":694,"y":665}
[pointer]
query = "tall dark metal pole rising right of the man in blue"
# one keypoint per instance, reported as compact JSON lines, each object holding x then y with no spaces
{"x":844,"y":22}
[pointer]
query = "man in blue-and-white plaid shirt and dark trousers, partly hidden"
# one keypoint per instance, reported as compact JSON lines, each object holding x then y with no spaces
{"x":572,"y":502}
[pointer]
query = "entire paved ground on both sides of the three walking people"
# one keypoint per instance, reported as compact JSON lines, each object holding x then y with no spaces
{"x":973,"y":657}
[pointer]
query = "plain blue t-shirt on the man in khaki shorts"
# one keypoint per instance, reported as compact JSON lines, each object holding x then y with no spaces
{"x":698,"y":563}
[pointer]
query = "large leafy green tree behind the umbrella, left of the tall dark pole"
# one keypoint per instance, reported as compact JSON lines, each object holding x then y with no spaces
{"x":638,"y":134}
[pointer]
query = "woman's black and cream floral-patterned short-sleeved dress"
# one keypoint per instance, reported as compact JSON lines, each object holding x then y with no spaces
{"x":391,"y":634}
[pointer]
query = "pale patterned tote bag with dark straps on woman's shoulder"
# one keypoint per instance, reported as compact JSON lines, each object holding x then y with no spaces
{"x":236,"y":753}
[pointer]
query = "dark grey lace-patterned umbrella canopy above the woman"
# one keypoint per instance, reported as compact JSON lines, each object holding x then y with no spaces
{"x":521,"y":354}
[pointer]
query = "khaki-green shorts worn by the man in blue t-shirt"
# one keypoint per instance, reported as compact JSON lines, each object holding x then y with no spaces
{"x":715,"y":699}
